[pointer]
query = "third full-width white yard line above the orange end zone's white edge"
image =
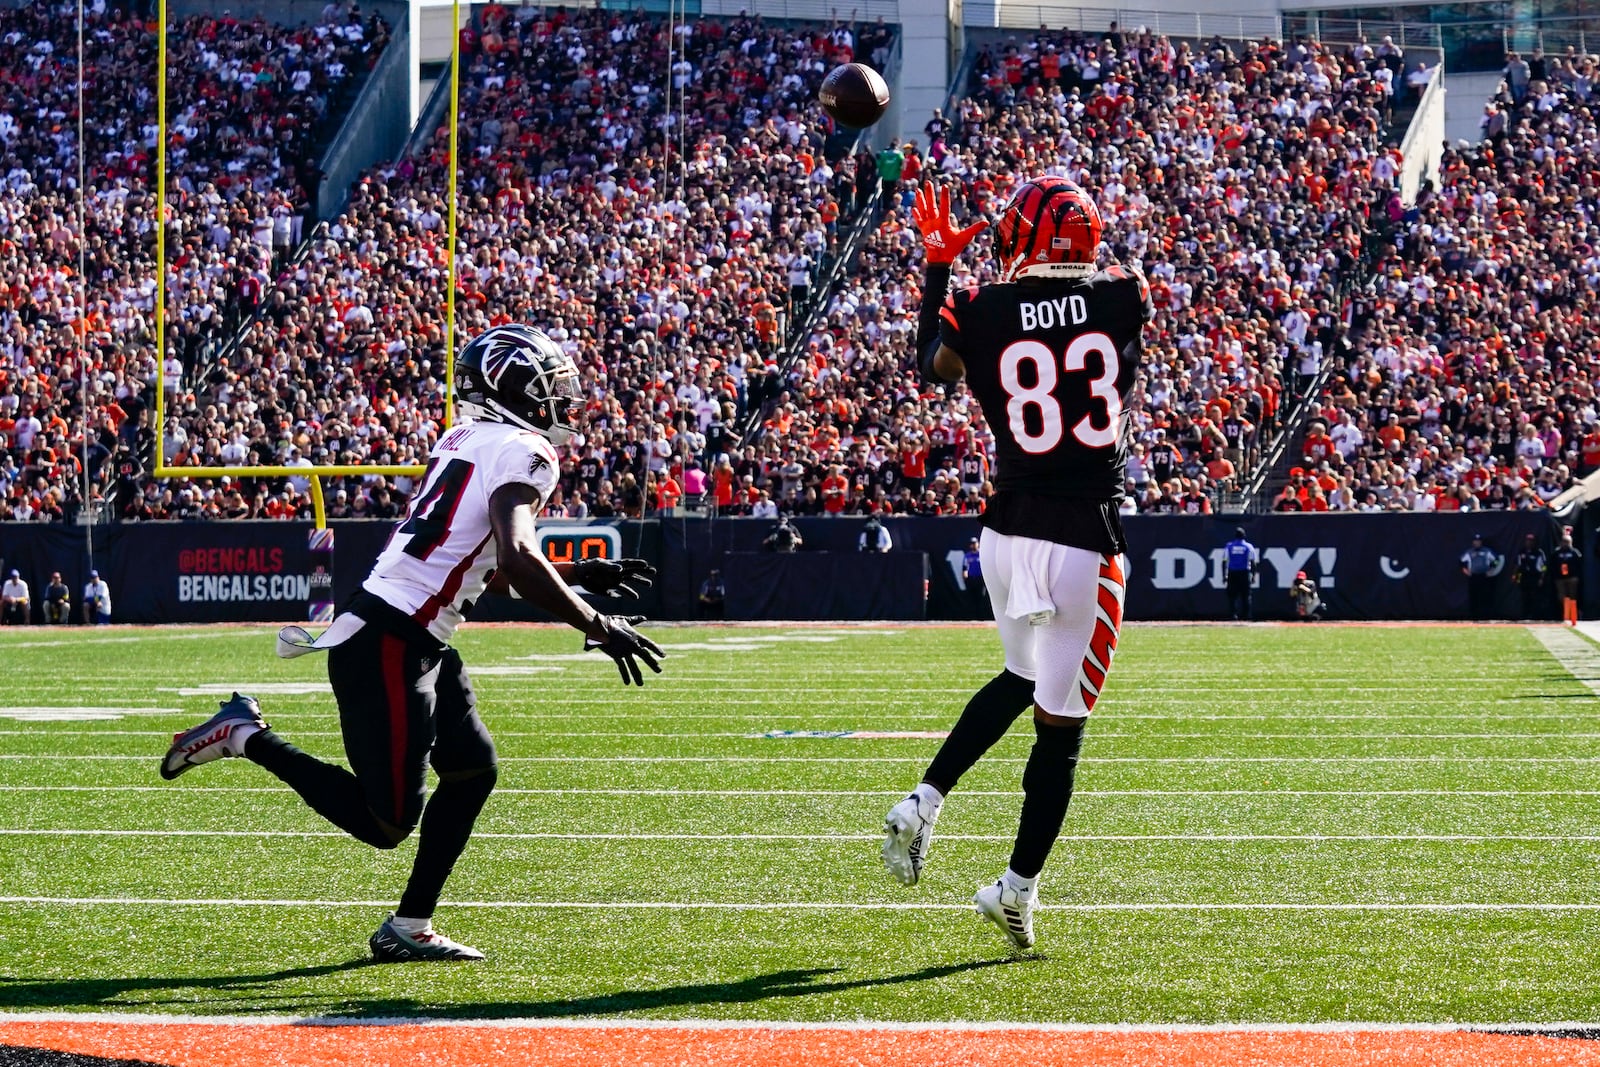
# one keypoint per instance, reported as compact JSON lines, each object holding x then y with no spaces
{"x":286,"y":791}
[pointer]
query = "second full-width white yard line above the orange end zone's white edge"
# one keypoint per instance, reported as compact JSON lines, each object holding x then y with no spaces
{"x":852,"y":839}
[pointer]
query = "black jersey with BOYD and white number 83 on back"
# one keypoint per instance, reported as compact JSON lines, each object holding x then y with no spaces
{"x":1052,"y":362}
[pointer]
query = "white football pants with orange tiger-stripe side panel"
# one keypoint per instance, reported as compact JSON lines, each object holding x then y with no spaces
{"x":1060,"y":617}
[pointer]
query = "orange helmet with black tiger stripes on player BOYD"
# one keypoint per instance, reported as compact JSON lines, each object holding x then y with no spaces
{"x":1049,"y":230}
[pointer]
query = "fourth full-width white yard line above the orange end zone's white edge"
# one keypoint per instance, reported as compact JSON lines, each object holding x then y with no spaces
{"x":921,"y":759}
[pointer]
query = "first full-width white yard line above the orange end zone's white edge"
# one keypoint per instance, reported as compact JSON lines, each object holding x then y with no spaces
{"x":815,"y":906}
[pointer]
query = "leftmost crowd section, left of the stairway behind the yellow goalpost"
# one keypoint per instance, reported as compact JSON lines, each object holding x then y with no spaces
{"x":249,"y":119}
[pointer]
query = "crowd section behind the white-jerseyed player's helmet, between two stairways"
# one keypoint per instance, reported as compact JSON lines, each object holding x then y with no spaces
{"x":705,"y":212}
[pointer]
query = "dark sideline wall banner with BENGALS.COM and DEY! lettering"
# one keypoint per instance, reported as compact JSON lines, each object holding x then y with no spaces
{"x":1367,"y":567}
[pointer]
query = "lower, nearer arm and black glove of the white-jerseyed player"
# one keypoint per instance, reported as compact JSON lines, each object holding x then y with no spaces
{"x":513,"y":511}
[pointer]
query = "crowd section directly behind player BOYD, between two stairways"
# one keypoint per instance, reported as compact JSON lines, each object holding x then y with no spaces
{"x":1239,"y":180}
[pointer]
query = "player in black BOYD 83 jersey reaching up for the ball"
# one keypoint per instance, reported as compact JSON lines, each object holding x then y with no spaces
{"x":1050,"y":353}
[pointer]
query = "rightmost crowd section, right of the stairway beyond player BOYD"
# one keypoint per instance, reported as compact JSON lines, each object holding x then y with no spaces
{"x":1478,"y":390}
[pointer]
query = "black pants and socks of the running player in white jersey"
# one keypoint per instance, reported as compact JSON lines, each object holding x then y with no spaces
{"x":406,"y":703}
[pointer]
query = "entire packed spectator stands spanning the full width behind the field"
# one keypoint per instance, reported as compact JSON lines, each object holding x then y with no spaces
{"x":673,"y":210}
